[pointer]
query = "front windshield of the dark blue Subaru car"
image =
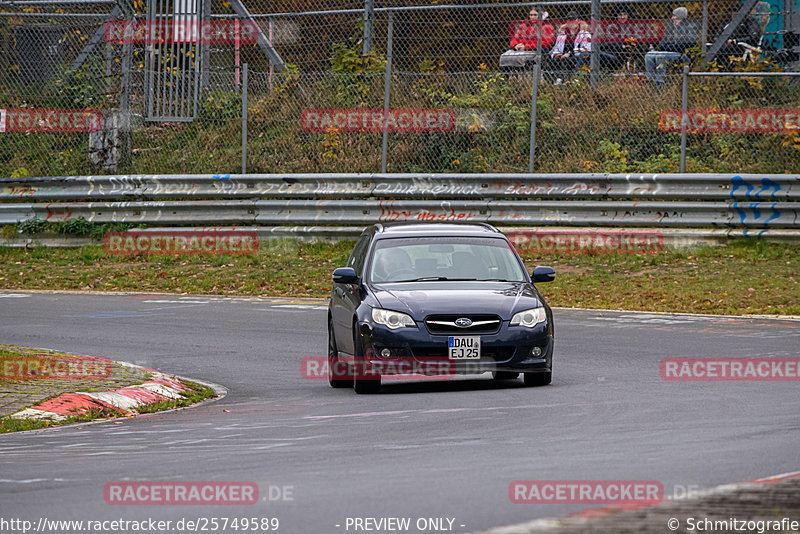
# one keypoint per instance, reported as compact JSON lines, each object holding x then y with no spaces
{"x":444,"y":258}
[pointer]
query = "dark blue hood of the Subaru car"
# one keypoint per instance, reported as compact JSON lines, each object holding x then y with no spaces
{"x":421,"y":299}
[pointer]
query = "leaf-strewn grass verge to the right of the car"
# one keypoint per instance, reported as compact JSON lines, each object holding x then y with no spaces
{"x":745,"y":277}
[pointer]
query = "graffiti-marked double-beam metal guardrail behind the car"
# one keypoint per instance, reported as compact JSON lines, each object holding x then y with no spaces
{"x":731,"y":201}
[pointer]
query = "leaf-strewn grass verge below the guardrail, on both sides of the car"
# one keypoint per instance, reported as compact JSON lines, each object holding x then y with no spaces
{"x":744,"y":277}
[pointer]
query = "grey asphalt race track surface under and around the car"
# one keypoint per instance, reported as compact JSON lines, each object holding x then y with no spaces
{"x":420,"y":450}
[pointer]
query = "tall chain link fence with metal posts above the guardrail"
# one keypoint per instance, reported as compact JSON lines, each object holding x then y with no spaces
{"x":79,"y":83}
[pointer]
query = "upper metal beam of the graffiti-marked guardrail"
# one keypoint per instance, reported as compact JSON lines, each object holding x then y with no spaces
{"x":772,"y":187}
